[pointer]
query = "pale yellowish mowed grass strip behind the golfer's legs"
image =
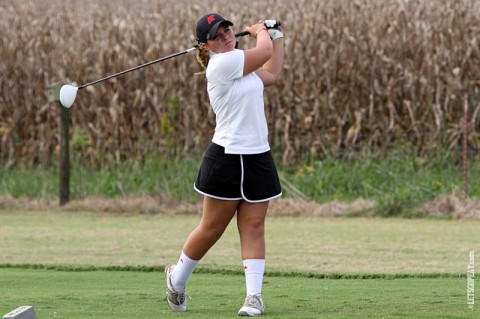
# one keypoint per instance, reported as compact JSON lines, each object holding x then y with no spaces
{"x":320,"y":245}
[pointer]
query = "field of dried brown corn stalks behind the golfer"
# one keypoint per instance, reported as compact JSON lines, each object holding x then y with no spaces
{"x":359,"y":76}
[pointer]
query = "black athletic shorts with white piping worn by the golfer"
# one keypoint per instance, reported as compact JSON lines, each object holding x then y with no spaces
{"x":251,"y":177}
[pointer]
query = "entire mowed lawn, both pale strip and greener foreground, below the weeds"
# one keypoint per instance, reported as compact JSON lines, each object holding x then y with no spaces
{"x":316,"y":267}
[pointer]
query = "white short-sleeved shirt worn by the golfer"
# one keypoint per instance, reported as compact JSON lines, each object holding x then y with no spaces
{"x":238,"y":104}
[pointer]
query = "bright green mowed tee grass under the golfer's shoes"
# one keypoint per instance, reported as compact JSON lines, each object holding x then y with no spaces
{"x":113,"y":294}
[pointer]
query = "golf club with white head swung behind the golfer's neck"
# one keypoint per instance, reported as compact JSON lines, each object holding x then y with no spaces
{"x":68,"y":93}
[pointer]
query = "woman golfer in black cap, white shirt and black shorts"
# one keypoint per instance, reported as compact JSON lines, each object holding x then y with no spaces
{"x":237,"y":174}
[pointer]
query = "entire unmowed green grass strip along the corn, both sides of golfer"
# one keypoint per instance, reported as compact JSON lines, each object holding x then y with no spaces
{"x":397,"y":181}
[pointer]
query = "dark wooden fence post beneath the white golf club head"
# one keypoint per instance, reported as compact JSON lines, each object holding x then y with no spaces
{"x":64,"y":185}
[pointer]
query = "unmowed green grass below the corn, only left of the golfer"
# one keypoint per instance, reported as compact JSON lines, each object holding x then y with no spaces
{"x":157,"y":176}
